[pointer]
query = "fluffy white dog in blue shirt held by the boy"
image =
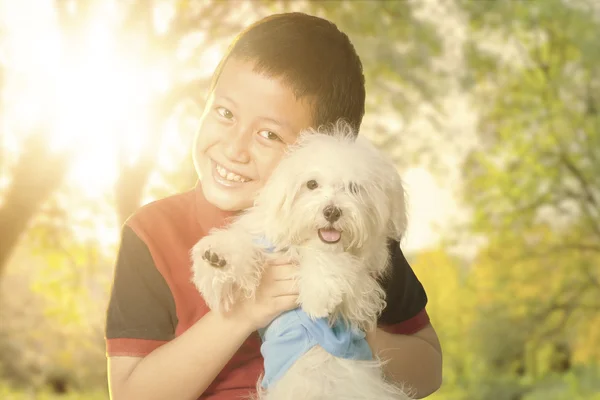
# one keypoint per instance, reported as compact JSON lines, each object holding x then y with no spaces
{"x":331,"y":204}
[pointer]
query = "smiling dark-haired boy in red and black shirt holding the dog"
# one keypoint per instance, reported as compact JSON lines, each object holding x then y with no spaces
{"x":281,"y":75}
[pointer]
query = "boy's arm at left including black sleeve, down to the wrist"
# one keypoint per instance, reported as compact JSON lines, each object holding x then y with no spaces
{"x":145,"y":360}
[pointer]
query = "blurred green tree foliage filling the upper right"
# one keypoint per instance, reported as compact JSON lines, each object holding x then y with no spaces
{"x":540,"y":121}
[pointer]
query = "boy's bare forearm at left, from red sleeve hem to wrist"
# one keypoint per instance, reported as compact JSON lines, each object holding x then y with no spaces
{"x":184,"y":367}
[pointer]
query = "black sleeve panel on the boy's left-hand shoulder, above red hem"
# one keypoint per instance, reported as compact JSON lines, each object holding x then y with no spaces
{"x":141,"y":305}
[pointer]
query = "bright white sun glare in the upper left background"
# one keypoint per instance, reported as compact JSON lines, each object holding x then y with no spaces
{"x":93,"y":99}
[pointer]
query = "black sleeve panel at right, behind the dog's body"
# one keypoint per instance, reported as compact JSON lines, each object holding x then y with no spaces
{"x":405,"y":295}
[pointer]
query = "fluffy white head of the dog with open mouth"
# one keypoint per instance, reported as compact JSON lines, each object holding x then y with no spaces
{"x":333,"y":190}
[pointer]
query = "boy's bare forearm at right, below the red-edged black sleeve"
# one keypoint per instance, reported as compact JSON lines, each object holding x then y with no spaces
{"x":414,"y":360}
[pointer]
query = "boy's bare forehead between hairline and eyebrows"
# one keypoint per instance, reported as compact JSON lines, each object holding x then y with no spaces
{"x":262,"y":96}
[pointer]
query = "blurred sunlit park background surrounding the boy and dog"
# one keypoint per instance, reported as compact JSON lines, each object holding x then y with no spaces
{"x":491,"y":109}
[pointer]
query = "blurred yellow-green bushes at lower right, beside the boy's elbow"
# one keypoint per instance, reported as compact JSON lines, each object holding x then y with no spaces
{"x":503,"y":330}
